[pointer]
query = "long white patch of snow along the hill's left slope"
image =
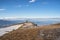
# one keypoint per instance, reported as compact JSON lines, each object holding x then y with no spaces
{"x":10,"y":28}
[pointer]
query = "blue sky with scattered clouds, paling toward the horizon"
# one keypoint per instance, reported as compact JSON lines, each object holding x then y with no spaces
{"x":29,"y":8}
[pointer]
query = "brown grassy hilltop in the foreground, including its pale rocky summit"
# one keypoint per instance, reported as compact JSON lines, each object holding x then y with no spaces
{"x":30,"y":31}
